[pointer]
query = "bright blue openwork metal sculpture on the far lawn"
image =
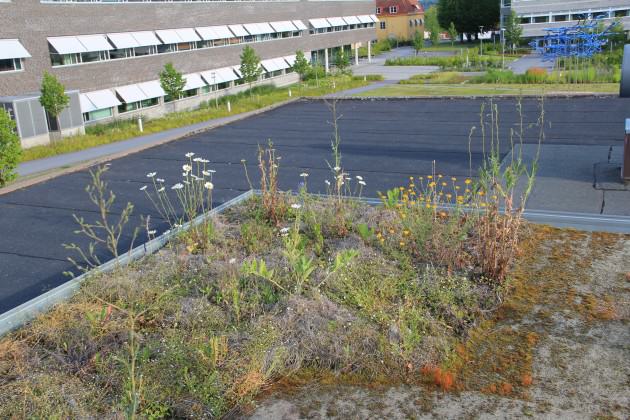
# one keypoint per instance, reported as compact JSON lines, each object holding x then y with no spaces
{"x":582,"y":40}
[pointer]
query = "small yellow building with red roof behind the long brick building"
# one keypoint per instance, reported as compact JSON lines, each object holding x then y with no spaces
{"x":399,"y":19}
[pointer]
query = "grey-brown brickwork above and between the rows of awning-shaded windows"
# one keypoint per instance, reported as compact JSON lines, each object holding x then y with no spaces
{"x":32,"y":22}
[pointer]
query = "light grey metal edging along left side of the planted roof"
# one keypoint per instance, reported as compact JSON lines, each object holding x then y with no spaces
{"x":20,"y":315}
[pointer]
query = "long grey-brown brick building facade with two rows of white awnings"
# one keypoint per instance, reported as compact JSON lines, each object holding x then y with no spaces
{"x":108,"y":53}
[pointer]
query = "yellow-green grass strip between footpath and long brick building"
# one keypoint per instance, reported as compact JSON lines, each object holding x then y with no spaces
{"x":125,"y":129}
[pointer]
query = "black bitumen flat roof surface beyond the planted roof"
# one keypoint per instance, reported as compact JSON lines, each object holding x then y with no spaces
{"x":384,"y":141}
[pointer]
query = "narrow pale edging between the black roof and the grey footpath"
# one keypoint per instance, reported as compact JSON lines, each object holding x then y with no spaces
{"x":36,"y":179}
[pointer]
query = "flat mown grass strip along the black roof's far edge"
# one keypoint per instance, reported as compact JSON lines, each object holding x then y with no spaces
{"x":488,"y":89}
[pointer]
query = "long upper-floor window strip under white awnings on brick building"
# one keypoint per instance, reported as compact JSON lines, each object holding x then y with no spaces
{"x":115,"y":54}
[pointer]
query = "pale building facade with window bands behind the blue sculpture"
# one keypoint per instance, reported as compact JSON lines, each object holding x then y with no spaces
{"x":537,"y":15}
